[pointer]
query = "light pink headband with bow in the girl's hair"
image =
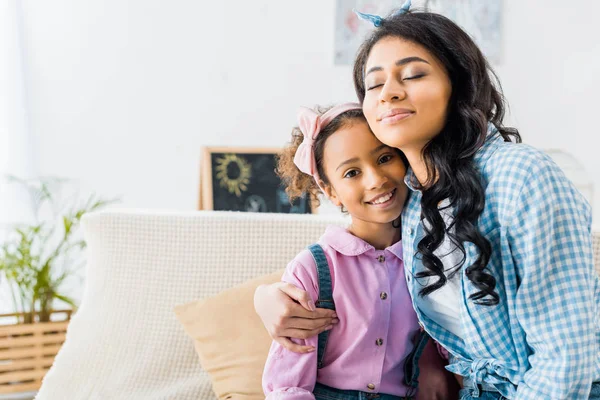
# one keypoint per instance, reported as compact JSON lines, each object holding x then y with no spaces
{"x":311,"y":124}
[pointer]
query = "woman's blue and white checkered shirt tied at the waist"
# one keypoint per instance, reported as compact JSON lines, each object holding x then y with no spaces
{"x":542,"y":341}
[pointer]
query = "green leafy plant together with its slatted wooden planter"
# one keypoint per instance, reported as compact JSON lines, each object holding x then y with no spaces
{"x":36,"y":260}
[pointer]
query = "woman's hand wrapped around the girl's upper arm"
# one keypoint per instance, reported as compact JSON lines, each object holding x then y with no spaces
{"x":289,"y":313}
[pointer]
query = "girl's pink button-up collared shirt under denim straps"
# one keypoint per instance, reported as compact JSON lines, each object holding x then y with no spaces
{"x":377,"y":322}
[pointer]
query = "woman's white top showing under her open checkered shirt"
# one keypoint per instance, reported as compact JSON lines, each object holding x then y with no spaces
{"x":443,"y":305}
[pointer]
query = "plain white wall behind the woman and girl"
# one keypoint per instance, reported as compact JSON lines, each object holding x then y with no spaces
{"x":122,"y":94}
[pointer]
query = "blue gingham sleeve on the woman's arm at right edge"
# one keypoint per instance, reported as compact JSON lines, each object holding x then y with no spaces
{"x":550,"y":239}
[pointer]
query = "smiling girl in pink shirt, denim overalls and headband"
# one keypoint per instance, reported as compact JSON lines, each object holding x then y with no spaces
{"x":358,"y":272}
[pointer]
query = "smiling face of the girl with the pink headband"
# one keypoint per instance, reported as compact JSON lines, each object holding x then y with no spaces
{"x":365,"y":176}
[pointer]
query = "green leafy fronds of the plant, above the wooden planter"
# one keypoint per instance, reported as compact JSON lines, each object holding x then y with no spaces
{"x":37,"y":258}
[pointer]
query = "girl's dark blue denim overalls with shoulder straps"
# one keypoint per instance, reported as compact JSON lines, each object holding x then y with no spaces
{"x":322,"y":392}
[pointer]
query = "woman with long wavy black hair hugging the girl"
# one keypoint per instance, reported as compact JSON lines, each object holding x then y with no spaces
{"x":497,"y":241}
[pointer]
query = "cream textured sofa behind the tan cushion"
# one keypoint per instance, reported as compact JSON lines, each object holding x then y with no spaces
{"x":125,"y":342}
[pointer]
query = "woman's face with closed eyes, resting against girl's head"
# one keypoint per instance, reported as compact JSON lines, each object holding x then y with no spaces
{"x":407,"y":91}
